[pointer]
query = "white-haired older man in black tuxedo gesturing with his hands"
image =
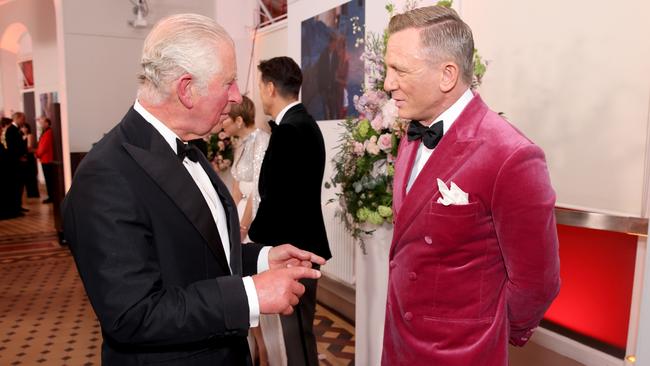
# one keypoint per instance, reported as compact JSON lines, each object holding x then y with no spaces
{"x":153,"y":230}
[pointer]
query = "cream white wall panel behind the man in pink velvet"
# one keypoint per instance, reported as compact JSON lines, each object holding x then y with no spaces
{"x":573,"y":76}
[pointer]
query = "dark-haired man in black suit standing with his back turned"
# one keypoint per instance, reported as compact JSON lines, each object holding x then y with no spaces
{"x":290,"y":190}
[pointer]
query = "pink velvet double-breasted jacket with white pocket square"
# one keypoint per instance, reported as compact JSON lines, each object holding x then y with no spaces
{"x":466,"y":279}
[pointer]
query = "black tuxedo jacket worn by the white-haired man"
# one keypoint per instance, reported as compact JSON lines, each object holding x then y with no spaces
{"x":150,"y":257}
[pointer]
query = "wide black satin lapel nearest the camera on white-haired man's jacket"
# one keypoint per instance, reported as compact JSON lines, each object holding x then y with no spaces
{"x":168,"y":172}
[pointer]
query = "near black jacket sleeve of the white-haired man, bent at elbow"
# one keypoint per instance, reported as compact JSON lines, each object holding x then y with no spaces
{"x":110,"y":235}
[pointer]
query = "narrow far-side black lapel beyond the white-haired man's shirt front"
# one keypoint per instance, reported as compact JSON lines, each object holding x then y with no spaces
{"x":231,"y":215}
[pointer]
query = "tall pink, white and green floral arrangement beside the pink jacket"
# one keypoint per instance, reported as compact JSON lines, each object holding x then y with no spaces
{"x":364,"y":164}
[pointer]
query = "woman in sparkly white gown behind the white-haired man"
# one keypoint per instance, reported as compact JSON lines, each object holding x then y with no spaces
{"x":266,"y":341}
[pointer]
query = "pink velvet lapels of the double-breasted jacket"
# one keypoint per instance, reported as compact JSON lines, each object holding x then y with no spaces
{"x":449,"y":156}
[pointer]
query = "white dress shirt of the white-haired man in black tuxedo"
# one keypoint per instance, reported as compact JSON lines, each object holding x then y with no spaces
{"x":211,"y":197}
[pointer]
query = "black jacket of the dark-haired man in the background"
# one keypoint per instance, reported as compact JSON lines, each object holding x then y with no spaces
{"x":290,"y":186}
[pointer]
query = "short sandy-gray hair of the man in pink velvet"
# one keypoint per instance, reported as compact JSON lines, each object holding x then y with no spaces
{"x":443,"y":35}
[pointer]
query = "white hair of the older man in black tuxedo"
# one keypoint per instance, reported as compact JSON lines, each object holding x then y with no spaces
{"x":179,"y":44}
